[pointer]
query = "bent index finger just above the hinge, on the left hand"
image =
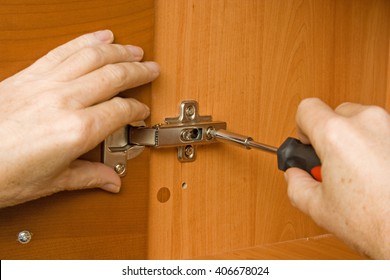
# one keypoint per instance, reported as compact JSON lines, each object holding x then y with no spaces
{"x":107,"y":117}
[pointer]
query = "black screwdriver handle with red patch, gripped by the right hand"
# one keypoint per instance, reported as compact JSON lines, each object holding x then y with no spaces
{"x":293,"y":153}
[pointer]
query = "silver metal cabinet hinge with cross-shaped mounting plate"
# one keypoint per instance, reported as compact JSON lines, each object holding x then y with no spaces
{"x":184,"y":132}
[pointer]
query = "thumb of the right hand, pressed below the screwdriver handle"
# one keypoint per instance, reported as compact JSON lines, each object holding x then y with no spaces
{"x":304,"y":192}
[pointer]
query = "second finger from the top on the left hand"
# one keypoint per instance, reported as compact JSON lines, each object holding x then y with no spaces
{"x":94,"y":57}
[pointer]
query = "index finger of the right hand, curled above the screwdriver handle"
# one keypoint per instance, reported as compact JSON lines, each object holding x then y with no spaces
{"x":311,"y":118}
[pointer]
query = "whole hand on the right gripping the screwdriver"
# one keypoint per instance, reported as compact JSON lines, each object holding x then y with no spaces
{"x":353,"y":200}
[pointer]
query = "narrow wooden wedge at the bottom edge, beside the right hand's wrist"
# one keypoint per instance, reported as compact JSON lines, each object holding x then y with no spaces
{"x":325,"y":247}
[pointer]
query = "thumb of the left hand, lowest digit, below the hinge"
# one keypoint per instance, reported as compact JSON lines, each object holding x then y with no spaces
{"x":82,"y":174}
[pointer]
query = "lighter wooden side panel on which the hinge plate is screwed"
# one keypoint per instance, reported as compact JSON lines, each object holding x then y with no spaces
{"x":250,"y":63}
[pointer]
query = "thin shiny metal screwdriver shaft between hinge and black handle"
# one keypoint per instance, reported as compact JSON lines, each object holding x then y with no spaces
{"x":241,"y":140}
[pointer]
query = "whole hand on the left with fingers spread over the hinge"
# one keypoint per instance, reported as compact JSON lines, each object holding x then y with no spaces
{"x":61,"y":107}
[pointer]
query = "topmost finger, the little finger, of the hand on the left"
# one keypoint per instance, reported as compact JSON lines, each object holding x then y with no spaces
{"x":61,"y":53}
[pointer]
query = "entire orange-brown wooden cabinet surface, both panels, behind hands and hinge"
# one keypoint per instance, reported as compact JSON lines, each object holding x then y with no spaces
{"x":248,"y":63}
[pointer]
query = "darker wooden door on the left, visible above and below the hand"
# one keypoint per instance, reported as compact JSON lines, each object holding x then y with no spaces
{"x":86,"y":224}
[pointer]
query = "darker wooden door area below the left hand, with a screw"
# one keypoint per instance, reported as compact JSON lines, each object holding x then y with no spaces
{"x":88,"y":224}
